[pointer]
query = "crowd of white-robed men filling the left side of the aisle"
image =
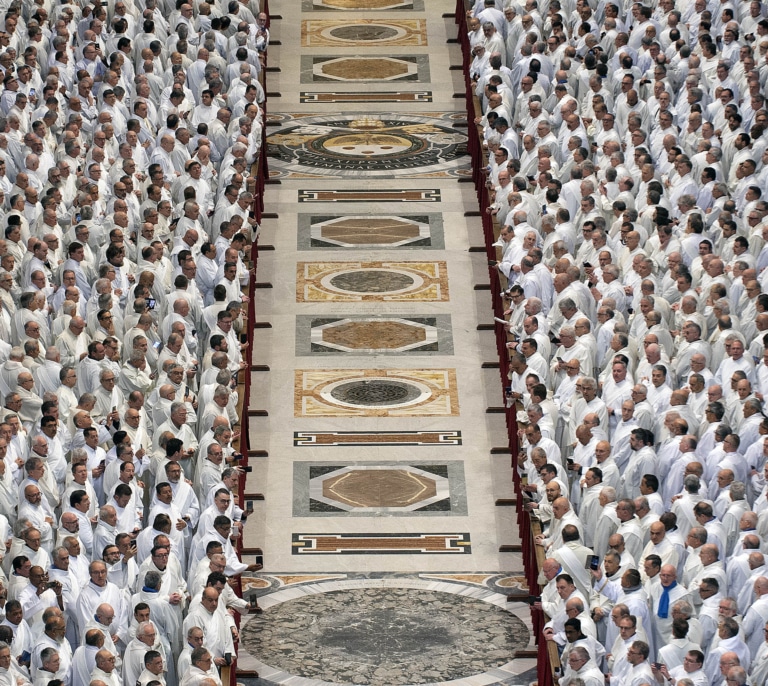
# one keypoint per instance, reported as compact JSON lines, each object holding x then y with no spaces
{"x":129,"y":132}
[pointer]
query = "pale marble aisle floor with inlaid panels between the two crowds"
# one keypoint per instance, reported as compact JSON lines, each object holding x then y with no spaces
{"x":379,"y":524}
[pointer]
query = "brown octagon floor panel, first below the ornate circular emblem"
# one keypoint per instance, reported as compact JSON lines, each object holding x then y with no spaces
{"x":370,"y":231}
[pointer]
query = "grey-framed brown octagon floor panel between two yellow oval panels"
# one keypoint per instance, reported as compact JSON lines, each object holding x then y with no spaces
{"x":374,"y":335}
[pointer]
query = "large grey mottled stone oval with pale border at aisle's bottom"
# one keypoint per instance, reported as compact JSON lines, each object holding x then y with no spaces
{"x":385,"y":636}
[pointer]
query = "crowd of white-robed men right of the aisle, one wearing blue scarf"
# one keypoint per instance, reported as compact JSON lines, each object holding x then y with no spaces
{"x":627,"y":148}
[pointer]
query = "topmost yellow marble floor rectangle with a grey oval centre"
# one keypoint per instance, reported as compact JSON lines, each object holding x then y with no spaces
{"x":338,"y":33}
